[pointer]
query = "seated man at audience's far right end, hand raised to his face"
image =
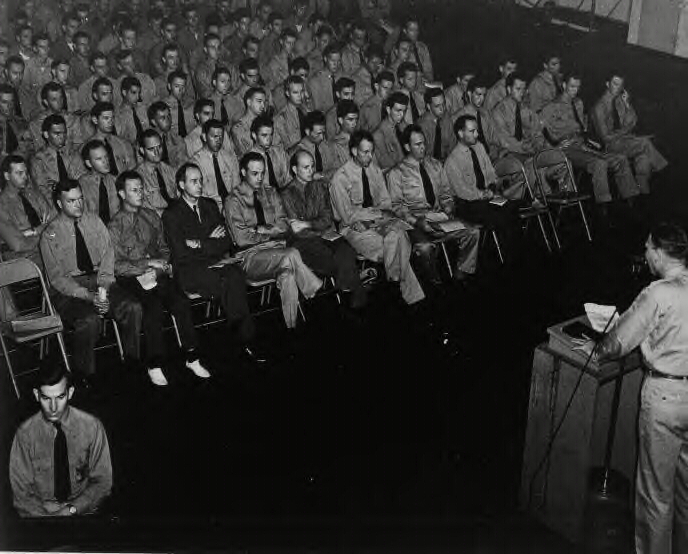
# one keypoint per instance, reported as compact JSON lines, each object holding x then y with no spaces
{"x":615,"y":119}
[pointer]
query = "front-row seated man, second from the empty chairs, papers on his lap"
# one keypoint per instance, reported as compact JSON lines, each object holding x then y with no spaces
{"x":421,"y":196}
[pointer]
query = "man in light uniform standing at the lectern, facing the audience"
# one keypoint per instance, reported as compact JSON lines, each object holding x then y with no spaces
{"x":658,"y":323}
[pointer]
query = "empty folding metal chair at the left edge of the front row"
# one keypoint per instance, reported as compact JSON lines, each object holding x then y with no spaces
{"x":18,"y":271}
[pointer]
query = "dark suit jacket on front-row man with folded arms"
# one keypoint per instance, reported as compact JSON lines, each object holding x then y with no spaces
{"x":181,"y":224}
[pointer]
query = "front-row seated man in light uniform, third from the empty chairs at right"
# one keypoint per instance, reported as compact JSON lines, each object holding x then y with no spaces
{"x":362,"y":207}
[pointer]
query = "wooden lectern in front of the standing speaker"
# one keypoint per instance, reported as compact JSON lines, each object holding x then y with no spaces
{"x":558,"y":493}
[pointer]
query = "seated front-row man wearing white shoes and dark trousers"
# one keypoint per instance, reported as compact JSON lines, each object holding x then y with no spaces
{"x":141,"y":252}
